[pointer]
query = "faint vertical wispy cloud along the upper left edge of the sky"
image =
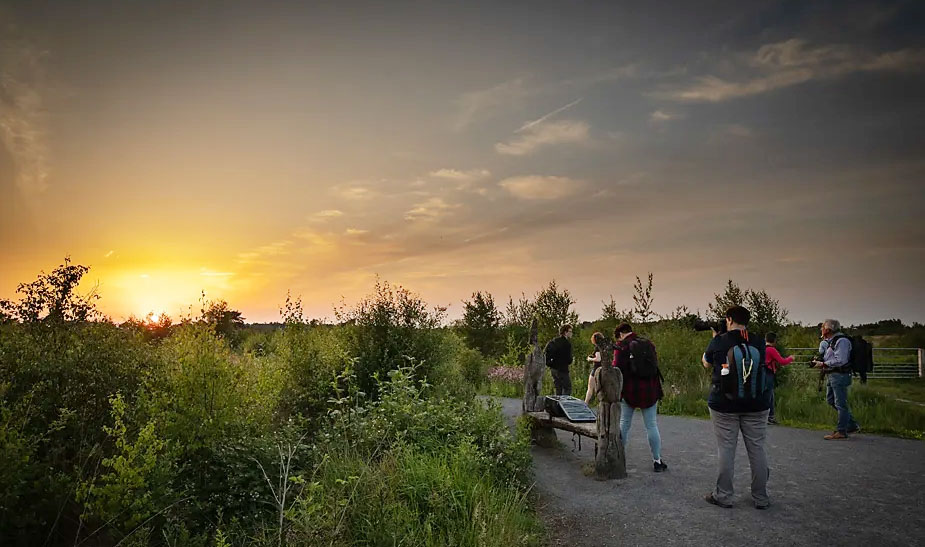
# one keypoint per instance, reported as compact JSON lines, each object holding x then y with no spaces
{"x":22,"y":114}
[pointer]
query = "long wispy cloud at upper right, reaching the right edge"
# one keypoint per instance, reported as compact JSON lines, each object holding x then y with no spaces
{"x":794,"y":62}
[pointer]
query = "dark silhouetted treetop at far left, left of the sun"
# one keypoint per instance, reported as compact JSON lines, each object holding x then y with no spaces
{"x":53,"y":298}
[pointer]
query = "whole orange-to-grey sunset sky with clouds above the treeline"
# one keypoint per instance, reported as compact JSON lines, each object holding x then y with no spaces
{"x":250,"y":148}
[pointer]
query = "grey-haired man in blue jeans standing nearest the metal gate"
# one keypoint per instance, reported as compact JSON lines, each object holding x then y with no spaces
{"x":836,"y":364}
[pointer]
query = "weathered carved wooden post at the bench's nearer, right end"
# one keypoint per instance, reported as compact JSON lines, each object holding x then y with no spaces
{"x":610,"y":462}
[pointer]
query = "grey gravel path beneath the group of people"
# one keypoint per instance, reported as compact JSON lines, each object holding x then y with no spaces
{"x":864,"y":491}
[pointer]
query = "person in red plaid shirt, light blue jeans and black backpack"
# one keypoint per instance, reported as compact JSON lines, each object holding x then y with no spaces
{"x":642,"y":387}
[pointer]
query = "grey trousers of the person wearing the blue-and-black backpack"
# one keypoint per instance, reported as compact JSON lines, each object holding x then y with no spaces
{"x":753,"y":426}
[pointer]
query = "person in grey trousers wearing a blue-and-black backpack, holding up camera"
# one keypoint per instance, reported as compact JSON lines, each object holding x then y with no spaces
{"x":739,"y":401}
